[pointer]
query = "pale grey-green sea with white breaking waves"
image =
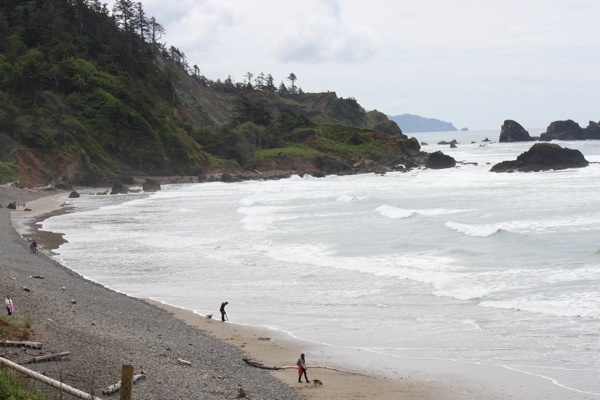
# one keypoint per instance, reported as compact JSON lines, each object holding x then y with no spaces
{"x":460,"y":265}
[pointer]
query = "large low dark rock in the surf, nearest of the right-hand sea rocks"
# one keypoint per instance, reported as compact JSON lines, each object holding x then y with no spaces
{"x":543,"y":157}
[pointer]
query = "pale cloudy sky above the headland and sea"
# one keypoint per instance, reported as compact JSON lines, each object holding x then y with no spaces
{"x":474,"y":63}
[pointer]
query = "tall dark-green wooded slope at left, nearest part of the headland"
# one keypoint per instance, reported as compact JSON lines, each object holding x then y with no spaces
{"x":74,"y":76}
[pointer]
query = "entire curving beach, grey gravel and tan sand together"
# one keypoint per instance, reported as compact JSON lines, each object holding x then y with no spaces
{"x":154,"y":336}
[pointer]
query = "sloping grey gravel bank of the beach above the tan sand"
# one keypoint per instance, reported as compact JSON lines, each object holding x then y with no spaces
{"x":104,"y":329}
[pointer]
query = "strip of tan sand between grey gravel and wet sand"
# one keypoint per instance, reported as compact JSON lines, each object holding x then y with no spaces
{"x":276,"y":349}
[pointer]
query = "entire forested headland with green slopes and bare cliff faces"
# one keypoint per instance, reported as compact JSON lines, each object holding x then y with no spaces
{"x":88,"y":93}
